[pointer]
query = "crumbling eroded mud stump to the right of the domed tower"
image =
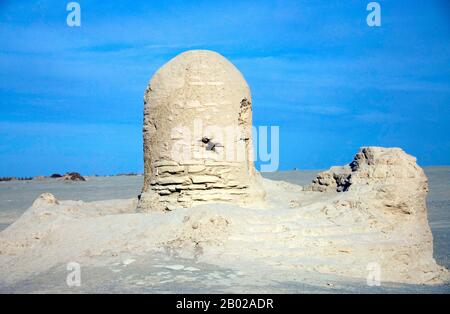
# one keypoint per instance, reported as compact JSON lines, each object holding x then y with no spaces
{"x":388,"y":184}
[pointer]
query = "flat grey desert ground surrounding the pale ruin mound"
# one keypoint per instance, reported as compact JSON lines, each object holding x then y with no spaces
{"x":164,"y":272}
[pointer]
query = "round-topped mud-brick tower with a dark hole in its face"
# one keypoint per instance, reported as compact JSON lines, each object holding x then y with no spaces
{"x":198,"y":134}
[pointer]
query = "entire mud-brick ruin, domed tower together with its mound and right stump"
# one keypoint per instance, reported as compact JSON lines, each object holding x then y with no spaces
{"x":366,"y":220}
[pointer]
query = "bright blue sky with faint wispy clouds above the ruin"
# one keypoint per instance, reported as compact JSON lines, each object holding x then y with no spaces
{"x":71,"y":98}
